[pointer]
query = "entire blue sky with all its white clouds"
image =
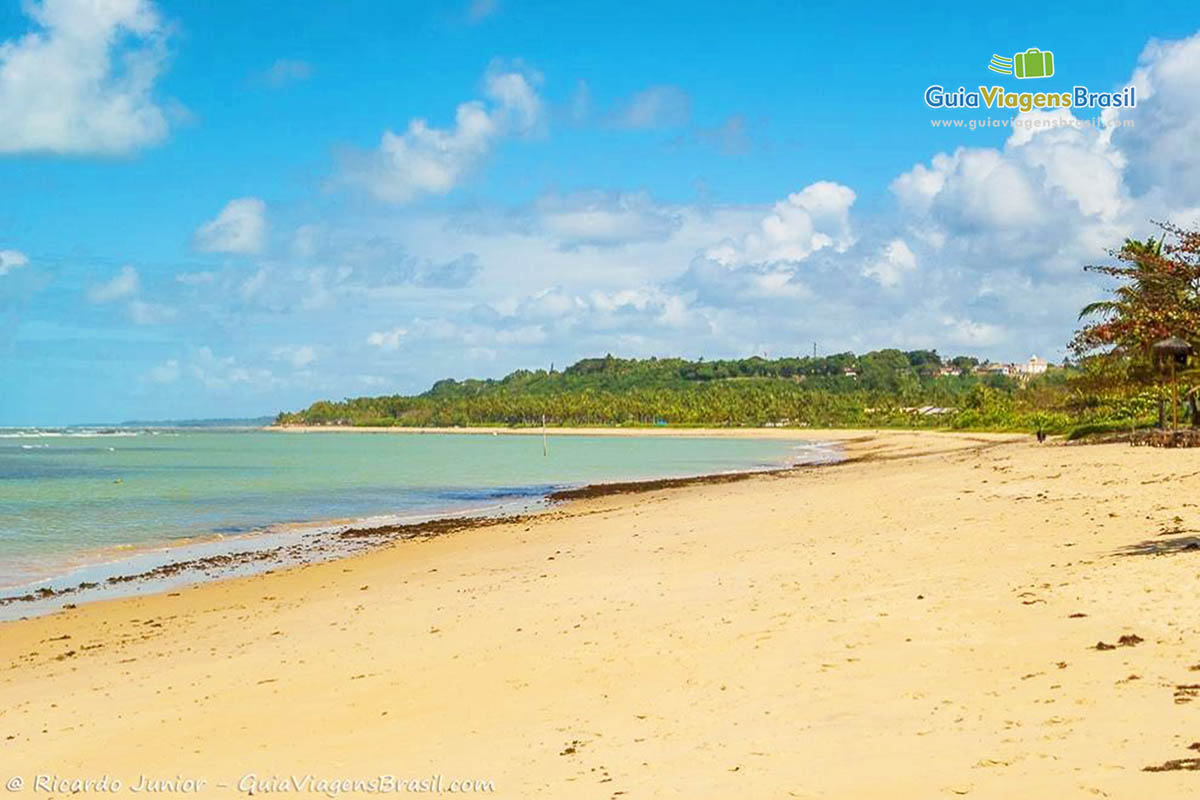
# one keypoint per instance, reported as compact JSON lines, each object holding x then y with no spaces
{"x":221,"y":209}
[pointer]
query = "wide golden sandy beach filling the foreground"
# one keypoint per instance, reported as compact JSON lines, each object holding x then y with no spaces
{"x":920,"y":622}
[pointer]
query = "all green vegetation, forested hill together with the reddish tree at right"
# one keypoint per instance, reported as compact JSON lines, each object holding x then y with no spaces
{"x":1114,"y":384}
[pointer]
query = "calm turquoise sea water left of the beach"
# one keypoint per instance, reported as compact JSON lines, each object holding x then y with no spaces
{"x":70,"y":500}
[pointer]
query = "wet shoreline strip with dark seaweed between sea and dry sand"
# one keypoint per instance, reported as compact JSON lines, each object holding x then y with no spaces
{"x":211,"y":558}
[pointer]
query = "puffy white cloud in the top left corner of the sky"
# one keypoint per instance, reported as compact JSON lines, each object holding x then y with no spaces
{"x":82,"y":82}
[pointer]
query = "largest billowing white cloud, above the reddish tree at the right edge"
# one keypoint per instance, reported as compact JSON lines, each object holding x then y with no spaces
{"x":1001,"y":233}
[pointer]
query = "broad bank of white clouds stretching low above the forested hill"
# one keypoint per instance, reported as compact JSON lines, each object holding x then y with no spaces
{"x":976,"y":250}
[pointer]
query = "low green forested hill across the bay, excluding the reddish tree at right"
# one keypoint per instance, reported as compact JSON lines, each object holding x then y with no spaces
{"x":880,"y":388}
